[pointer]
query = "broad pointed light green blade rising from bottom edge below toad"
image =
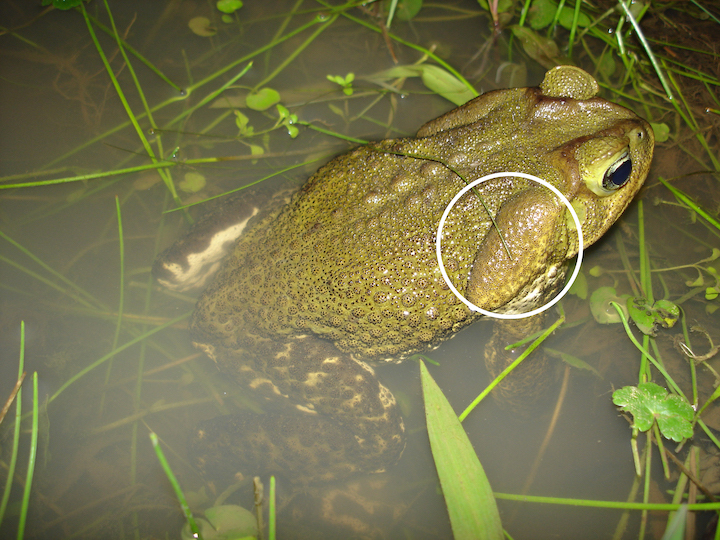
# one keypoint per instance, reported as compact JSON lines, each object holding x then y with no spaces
{"x":468,"y":495}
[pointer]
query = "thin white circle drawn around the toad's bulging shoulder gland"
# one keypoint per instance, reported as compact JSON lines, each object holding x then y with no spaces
{"x":545,"y":306}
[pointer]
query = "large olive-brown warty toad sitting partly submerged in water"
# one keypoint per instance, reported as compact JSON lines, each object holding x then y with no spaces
{"x":351,"y":259}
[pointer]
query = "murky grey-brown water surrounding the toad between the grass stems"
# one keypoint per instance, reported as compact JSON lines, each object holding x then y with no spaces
{"x":97,"y":476}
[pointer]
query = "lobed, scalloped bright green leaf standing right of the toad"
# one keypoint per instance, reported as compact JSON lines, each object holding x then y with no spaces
{"x":649,"y":402}
